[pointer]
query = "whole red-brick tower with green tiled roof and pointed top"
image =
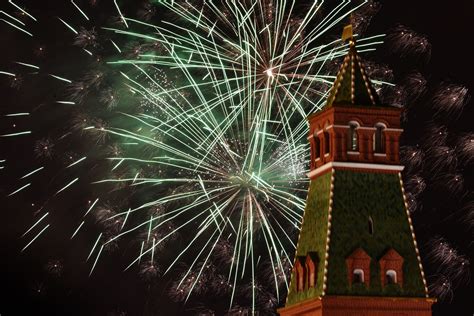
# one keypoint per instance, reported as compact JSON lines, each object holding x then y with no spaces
{"x":356,"y":253}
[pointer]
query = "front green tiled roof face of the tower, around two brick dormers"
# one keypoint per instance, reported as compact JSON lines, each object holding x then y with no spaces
{"x":358,"y":195}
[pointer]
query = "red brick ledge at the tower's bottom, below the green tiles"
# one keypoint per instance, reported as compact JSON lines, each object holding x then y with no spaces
{"x":360,"y":306}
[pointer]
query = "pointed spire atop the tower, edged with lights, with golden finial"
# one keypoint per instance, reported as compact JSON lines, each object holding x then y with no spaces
{"x":352,"y":85}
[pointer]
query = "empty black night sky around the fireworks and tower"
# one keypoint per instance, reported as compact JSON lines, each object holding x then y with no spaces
{"x":28,"y":288}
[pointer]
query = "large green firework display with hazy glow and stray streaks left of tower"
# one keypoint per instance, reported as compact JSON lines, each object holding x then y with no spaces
{"x":201,"y":120}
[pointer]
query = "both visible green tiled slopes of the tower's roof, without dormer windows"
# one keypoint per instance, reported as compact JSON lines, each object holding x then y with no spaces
{"x":356,"y":196}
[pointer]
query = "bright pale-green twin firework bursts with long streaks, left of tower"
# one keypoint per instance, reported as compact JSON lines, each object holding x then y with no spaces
{"x":237,"y":125}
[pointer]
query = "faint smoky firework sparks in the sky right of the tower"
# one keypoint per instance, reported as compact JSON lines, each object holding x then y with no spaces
{"x":436,"y":159}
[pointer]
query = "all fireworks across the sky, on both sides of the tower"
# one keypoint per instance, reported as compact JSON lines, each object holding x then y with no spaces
{"x":192,"y":129}
